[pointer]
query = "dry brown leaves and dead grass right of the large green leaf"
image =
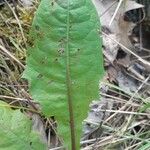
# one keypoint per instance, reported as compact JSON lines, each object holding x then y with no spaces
{"x":123,"y":110}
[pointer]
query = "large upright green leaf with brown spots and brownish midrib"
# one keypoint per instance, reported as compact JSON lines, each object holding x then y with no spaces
{"x":65,"y":64}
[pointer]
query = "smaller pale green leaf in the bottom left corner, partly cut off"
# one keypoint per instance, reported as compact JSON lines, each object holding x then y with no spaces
{"x":15,"y":131}
